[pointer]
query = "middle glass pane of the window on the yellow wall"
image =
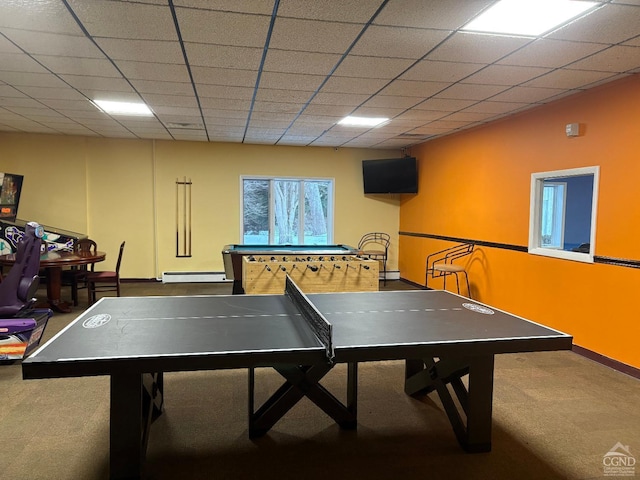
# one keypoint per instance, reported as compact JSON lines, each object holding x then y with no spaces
{"x":286,"y":200}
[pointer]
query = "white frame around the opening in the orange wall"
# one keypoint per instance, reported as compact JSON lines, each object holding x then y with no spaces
{"x":536,"y":194}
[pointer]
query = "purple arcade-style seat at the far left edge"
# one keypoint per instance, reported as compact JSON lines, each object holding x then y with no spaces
{"x":19,"y":286}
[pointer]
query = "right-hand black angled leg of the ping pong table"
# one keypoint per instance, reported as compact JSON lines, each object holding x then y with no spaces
{"x":424,"y":376}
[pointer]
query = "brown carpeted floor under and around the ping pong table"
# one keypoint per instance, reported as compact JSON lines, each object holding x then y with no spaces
{"x":556,"y":414}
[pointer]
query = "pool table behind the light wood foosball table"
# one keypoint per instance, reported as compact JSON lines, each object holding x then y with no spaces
{"x":232,"y":256}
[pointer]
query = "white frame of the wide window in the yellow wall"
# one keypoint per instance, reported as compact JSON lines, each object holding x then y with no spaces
{"x":301,"y":211}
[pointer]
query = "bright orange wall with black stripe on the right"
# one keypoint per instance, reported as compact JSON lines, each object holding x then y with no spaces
{"x":476,"y":185}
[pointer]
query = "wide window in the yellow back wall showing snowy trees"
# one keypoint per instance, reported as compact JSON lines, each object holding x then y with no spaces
{"x":271,"y":213}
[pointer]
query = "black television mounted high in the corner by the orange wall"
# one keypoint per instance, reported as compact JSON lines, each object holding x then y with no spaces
{"x":392,"y":175}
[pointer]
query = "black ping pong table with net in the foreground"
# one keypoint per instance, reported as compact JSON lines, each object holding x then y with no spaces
{"x":442,"y":336}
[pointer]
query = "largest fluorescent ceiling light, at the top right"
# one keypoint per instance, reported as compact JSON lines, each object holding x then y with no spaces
{"x":527,"y":17}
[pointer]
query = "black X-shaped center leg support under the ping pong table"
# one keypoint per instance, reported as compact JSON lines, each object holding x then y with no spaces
{"x":303,"y":381}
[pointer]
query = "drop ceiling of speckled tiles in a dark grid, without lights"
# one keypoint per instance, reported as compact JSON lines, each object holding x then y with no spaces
{"x":286,"y":72}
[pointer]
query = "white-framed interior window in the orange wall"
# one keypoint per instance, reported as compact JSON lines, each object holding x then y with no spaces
{"x":563,"y":213}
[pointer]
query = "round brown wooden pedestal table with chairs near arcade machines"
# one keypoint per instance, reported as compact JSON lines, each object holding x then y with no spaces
{"x":54,"y":262}
